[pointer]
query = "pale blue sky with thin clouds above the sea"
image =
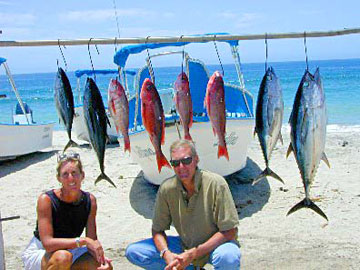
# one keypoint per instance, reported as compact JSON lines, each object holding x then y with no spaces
{"x":70,"y":19}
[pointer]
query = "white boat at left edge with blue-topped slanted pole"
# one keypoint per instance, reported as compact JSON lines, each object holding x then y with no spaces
{"x":22,"y":136}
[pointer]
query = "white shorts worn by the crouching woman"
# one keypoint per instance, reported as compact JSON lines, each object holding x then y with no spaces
{"x":35,"y":251}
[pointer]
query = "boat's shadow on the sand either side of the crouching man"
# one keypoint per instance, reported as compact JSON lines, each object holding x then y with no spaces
{"x":248,"y":199}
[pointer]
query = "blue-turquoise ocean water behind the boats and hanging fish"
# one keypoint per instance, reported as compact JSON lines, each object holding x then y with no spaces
{"x":341,"y":81}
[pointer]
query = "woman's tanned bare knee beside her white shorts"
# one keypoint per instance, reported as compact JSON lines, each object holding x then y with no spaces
{"x":58,"y":260}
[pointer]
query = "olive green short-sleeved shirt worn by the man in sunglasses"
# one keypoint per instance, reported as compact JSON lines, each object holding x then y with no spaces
{"x":209,"y":210}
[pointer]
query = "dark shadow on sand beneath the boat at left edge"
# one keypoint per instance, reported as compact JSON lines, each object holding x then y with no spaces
{"x":22,"y":162}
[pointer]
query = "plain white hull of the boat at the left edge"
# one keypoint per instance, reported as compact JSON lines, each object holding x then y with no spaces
{"x":17,"y":140}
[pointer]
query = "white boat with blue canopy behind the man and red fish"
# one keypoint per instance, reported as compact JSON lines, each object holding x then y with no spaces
{"x":239,"y":122}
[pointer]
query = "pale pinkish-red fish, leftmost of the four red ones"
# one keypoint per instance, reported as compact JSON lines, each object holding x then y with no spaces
{"x":119,"y":110}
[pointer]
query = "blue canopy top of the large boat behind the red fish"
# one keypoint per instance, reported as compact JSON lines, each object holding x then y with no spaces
{"x":122,"y":55}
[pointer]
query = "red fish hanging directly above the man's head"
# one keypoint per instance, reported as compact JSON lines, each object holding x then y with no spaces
{"x":183,"y":103}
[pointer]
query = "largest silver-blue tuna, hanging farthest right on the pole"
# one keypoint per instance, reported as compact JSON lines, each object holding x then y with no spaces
{"x":308,"y":131}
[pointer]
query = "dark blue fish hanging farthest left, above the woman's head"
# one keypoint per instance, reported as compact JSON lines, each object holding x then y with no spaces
{"x":64,"y":102}
